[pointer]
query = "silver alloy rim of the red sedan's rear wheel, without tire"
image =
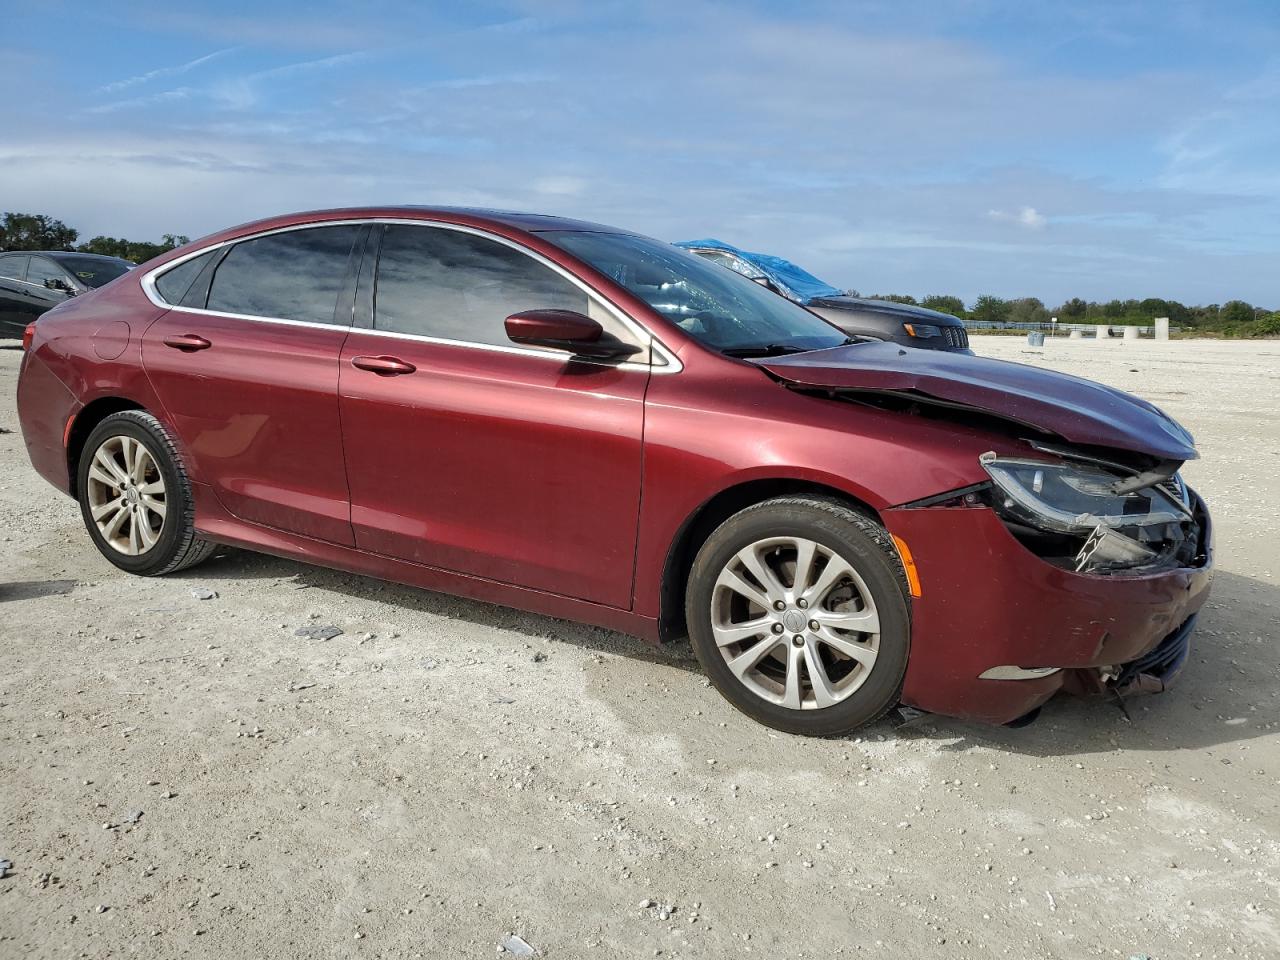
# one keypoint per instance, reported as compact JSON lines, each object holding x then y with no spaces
{"x":127,"y":496}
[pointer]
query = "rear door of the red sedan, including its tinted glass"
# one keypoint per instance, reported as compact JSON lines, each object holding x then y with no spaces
{"x":246,"y":367}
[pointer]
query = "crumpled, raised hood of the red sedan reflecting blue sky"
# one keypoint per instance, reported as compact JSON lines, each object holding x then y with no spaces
{"x":1072,"y":408}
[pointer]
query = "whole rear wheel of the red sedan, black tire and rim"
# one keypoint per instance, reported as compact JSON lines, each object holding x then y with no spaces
{"x":145,"y":496}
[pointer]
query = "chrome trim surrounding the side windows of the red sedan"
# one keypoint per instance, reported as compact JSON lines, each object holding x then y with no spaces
{"x":664,"y":362}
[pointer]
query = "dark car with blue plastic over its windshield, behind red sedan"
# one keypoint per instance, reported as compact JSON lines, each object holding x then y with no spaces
{"x":860,"y":317}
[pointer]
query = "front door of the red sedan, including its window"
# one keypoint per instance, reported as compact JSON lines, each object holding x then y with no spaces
{"x":481,"y":458}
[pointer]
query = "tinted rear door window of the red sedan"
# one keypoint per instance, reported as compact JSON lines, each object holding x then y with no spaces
{"x":292,"y":276}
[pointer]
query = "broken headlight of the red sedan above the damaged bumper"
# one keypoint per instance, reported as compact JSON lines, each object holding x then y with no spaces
{"x":1073,"y":499}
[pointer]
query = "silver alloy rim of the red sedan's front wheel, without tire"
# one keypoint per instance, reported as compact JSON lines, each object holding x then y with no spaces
{"x":796,"y":623}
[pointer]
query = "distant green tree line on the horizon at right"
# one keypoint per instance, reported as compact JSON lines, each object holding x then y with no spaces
{"x":1236,"y":318}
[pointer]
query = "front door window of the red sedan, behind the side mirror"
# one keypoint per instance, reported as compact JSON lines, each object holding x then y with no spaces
{"x":461,"y":287}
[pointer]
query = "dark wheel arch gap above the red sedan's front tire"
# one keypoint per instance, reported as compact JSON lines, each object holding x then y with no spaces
{"x":710,"y":515}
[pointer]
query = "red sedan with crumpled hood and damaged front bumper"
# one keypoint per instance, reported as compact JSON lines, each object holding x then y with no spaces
{"x":595,"y":426}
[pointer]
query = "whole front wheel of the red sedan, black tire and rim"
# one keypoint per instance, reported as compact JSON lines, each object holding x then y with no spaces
{"x":845,"y":630}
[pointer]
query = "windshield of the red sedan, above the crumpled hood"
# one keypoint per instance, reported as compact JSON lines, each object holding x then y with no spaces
{"x":712,"y":305}
